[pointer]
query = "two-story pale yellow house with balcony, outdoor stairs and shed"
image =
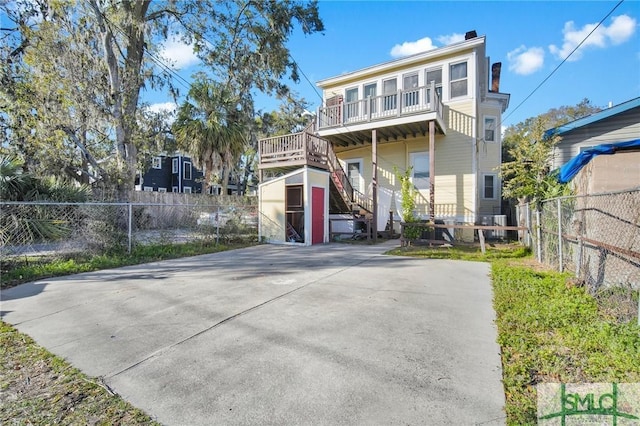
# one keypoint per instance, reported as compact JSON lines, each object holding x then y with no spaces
{"x":434,"y":113}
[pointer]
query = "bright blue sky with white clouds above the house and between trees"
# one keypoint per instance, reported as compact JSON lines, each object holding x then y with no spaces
{"x":530,"y":38}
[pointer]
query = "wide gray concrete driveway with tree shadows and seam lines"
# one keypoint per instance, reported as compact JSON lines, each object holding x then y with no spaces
{"x":329,"y":334}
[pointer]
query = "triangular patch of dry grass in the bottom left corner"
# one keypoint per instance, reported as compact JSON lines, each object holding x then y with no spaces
{"x":40,"y":388}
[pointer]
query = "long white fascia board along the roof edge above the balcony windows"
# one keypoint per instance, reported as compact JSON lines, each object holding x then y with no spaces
{"x":404,"y":62}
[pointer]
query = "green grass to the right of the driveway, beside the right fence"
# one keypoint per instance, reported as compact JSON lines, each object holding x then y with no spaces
{"x":548,"y":329}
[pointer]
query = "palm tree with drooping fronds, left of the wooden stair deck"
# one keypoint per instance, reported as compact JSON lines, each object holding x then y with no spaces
{"x":210,"y":129}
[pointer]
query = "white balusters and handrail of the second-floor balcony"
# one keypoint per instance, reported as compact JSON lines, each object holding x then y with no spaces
{"x":404,"y":102}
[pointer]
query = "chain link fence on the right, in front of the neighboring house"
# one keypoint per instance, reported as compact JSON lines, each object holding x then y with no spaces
{"x":596,"y":238}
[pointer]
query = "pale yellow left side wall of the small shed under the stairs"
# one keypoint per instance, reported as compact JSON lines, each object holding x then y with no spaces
{"x":272,"y":210}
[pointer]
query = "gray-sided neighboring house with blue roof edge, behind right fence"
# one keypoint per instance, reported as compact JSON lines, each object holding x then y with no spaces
{"x":604,"y":173}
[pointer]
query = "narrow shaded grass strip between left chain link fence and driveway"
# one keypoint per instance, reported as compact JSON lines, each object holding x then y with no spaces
{"x":24,"y":270}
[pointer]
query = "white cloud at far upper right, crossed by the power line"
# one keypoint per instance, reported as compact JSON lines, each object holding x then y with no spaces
{"x":621,"y":29}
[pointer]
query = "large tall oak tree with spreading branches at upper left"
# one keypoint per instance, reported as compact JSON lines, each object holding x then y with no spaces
{"x":72,"y":72}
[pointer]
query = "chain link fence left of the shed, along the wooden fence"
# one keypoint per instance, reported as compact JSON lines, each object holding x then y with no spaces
{"x":62,"y":229}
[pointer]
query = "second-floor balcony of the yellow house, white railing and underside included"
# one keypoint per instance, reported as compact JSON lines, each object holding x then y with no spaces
{"x":399,"y":115}
